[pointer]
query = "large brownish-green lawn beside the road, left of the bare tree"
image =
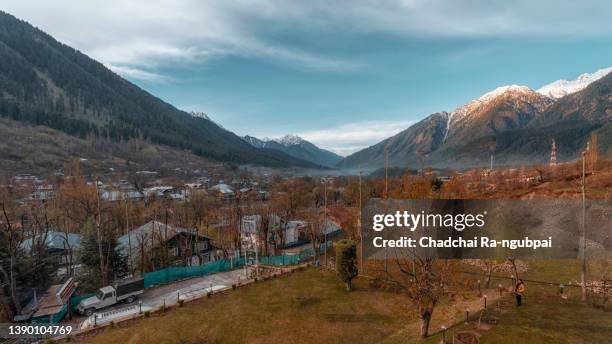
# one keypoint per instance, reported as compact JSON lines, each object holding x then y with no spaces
{"x":306,"y":307}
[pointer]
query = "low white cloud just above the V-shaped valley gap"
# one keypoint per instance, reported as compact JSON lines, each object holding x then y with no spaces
{"x":348,"y":138}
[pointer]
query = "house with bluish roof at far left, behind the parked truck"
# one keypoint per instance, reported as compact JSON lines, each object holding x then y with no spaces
{"x":60,"y":246}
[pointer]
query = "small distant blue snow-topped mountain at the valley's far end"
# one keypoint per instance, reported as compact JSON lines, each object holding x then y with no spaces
{"x":296,"y":147}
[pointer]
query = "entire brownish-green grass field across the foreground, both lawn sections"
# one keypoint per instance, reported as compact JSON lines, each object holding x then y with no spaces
{"x":312,"y":307}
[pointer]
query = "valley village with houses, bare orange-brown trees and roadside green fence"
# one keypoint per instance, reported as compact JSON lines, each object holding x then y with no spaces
{"x":74,"y":240}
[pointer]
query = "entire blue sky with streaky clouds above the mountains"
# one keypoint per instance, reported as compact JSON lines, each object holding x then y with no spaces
{"x":342,"y":74}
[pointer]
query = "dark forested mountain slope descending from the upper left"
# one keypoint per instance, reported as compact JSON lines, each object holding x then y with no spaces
{"x":51,"y":85}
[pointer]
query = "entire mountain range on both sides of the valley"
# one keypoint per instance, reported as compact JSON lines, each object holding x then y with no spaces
{"x":56,"y":100}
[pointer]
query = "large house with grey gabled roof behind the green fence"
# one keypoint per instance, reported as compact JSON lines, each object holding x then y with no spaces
{"x":184,"y":246}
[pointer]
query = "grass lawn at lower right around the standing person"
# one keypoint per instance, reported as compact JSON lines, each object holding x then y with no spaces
{"x":545,"y":317}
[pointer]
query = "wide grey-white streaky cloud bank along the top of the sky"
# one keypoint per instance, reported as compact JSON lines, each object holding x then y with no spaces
{"x":145,"y":34}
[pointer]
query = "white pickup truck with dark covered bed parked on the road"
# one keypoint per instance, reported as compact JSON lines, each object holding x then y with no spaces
{"x":122,"y":291}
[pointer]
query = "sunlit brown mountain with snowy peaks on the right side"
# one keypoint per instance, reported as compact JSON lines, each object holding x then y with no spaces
{"x":514,"y":124}
